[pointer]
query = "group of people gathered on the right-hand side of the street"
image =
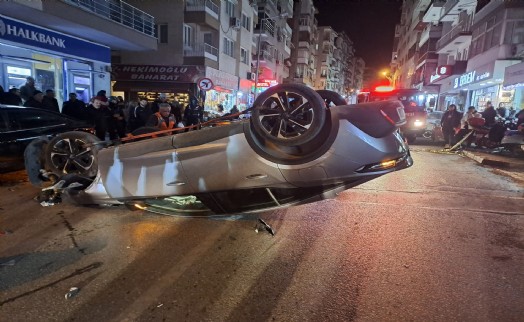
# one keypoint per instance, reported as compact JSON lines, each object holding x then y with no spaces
{"x":455,"y":125}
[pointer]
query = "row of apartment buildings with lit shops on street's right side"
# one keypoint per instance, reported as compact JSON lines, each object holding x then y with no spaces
{"x":480,"y":51}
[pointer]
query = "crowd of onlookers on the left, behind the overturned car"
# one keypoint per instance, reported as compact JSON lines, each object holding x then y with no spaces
{"x":112,"y":117}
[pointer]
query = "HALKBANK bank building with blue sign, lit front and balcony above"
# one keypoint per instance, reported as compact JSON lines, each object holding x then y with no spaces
{"x":66,"y":45}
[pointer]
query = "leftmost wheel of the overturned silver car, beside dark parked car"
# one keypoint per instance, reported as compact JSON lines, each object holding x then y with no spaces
{"x":73,"y":152}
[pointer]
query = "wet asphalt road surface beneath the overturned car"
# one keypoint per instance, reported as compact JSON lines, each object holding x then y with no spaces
{"x":441,"y":241}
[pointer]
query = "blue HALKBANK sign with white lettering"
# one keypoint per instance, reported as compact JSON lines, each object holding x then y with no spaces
{"x":23,"y":33}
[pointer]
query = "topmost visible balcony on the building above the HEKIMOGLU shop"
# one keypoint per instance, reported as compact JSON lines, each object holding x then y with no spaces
{"x":202,"y":12}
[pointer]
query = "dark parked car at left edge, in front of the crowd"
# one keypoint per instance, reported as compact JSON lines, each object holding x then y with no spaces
{"x":21,"y":125}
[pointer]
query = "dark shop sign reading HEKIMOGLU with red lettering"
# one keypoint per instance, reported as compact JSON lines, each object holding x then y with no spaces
{"x":157,"y":73}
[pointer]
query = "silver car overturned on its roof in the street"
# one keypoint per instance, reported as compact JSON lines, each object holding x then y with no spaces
{"x":299,"y":146}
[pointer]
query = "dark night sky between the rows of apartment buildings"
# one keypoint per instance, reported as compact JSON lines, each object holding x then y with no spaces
{"x":370,"y":24}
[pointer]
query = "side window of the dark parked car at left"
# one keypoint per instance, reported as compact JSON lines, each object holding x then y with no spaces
{"x":21,"y":119}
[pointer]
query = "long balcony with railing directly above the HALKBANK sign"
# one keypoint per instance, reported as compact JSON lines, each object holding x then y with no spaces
{"x":116,"y":24}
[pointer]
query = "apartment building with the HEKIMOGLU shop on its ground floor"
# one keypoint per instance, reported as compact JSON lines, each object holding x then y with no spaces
{"x":198,"y":40}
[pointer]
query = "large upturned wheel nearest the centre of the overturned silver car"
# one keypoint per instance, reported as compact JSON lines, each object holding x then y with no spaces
{"x":288,"y":114}
